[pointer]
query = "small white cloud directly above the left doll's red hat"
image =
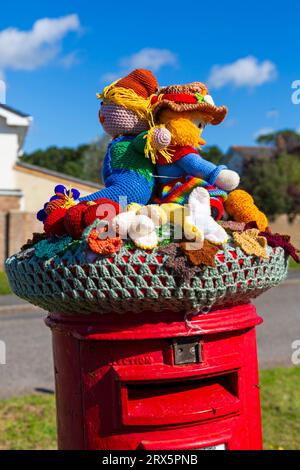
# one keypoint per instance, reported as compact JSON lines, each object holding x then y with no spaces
{"x":147,"y":58}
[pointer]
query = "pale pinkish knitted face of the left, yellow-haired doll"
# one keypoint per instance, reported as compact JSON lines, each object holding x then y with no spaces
{"x":117,"y":120}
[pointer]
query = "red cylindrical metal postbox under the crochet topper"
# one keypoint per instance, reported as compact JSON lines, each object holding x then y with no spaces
{"x":155,"y":381}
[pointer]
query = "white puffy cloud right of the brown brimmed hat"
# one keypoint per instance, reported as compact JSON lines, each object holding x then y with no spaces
{"x":247,"y":72}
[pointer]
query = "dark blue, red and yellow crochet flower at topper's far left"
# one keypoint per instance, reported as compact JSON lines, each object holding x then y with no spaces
{"x":64,"y":198}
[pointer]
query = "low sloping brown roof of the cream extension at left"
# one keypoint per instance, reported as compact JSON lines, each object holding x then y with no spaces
{"x":55,"y":176}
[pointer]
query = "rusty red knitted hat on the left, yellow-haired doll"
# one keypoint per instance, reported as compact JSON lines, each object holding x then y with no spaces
{"x":142,"y":81}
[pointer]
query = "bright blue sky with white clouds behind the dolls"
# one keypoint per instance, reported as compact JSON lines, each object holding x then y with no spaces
{"x":247,"y":51}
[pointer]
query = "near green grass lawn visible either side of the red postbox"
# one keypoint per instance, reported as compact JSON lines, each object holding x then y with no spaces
{"x":29,"y":422}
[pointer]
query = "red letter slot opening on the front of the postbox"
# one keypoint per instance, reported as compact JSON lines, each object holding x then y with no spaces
{"x":170,"y":403}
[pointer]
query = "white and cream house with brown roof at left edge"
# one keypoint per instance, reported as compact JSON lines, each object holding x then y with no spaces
{"x":24,"y":188}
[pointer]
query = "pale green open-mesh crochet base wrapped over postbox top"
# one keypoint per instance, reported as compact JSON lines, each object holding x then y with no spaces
{"x":138,"y":281}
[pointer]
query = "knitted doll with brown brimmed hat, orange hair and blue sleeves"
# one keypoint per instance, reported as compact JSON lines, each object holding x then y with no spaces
{"x":185,"y":110}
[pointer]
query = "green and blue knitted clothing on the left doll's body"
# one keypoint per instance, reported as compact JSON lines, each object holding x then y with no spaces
{"x":126,"y":172}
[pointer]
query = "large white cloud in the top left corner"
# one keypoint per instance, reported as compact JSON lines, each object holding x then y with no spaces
{"x":28,"y":50}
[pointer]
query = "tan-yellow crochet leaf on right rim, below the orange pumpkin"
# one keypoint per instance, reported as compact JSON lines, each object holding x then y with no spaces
{"x":251,"y":242}
